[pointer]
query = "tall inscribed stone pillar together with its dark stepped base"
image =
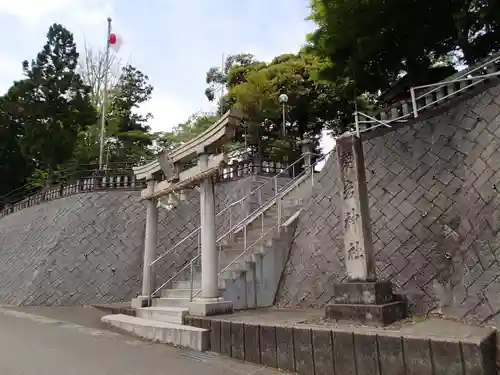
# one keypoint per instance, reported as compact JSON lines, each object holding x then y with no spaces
{"x":361,"y":298}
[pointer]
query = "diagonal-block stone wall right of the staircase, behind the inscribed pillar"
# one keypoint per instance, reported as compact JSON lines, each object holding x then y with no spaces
{"x":434,"y":194}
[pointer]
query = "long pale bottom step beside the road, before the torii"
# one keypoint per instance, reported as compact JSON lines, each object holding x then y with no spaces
{"x":163,"y":332}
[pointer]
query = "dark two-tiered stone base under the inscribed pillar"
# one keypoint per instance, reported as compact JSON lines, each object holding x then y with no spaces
{"x":366,"y":302}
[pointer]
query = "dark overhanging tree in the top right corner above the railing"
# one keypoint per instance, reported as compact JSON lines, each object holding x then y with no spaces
{"x":374,"y":42}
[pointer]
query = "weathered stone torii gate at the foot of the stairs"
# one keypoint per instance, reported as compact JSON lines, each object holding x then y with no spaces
{"x":179,"y":180}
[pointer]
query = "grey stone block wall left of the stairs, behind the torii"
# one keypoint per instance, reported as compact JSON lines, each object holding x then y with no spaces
{"x":88,"y":248}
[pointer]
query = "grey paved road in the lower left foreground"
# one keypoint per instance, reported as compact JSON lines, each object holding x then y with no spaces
{"x":32,"y":344}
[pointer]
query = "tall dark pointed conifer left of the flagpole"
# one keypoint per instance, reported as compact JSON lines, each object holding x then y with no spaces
{"x":54,"y":104}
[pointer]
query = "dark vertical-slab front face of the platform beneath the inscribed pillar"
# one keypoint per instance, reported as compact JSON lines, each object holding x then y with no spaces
{"x":316,"y":351}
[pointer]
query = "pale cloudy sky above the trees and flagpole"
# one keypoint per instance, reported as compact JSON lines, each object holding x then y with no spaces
{"x":173,"y":41}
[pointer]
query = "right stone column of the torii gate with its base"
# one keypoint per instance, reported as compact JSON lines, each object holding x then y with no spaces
{"x":209,"y":302}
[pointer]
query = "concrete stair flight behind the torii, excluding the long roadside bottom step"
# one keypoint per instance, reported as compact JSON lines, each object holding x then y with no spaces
{"x":240,"y":280}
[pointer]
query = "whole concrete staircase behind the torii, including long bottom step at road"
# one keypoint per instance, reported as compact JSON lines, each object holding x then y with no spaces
{"x":248,"y":282}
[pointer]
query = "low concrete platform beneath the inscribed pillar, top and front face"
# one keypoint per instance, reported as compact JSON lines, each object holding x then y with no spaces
{"x":306,"y":343}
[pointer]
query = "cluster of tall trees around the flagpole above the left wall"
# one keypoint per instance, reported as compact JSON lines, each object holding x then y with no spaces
{"x":50,"y":123}
